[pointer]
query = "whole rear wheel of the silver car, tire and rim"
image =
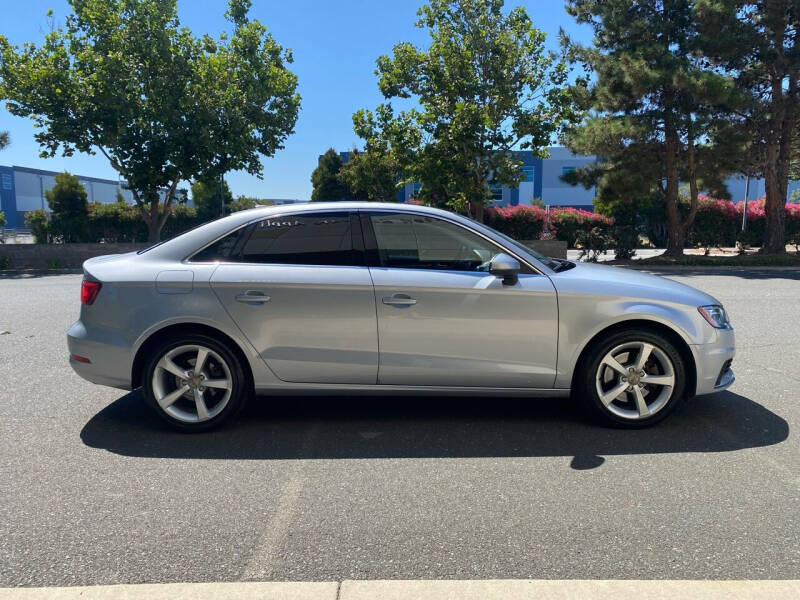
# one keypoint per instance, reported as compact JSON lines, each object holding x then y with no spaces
{"x":194,"y":383}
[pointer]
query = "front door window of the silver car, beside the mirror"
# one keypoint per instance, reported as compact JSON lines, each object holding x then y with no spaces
{"x":422,"y":242}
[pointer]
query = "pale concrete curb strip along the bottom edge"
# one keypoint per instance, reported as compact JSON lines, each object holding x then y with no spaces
{"x":537,"y":589}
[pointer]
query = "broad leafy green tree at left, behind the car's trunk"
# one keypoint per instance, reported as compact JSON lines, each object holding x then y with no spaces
{"x":123,"y":78}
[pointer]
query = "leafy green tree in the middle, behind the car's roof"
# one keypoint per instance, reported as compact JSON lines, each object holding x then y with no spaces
{"x":484,"y":86}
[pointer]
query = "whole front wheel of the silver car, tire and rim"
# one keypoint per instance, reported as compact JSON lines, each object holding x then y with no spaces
{"x":632,"y":379}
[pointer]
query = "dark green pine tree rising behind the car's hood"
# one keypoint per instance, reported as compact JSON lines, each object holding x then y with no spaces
{"x":656,"y":108}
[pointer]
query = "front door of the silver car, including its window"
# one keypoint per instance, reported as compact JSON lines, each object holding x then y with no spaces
{"x":443,"y":320}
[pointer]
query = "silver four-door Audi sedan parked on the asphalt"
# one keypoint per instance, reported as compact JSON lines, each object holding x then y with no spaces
{"x":380,"y":299}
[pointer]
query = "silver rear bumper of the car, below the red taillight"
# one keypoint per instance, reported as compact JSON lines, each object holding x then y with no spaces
{"x":109,"y":353}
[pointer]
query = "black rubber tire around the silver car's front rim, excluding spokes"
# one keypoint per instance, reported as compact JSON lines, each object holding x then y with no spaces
{"x":586,"y":381}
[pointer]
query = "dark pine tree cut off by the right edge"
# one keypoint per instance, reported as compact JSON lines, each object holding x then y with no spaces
{"x":759,"y":41}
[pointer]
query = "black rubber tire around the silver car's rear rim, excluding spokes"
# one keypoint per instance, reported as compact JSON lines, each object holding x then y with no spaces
{"x":240,"y":386}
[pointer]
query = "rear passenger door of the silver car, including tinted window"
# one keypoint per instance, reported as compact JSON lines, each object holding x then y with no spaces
{"x":297,"y":287}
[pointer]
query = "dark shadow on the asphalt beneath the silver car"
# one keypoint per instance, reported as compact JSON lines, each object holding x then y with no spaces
{"x":418,"y":427}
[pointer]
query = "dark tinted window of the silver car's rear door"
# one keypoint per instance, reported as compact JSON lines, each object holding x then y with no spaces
{"x":304,"y":239}
